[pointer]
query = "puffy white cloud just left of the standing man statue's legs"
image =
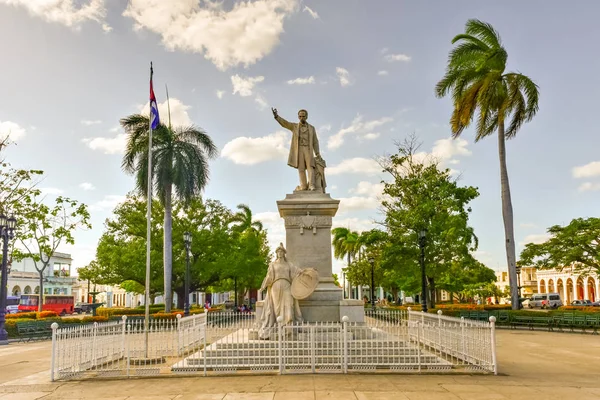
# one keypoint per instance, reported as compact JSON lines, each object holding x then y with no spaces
{"x":251,"y":151}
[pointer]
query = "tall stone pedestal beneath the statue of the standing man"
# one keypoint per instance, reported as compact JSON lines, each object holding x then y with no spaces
{"x":308,"y":217}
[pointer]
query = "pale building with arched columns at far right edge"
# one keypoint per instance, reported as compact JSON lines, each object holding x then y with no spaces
{"x":570,"y":285}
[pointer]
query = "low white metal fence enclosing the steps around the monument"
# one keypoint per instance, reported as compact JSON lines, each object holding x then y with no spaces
{"x":227,"y":342}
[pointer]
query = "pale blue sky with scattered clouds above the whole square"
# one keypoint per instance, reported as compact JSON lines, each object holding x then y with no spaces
{"x":365,"y":70}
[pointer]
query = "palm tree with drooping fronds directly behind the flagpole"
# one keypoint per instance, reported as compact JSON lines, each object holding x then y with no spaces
{"x":179,"y":161}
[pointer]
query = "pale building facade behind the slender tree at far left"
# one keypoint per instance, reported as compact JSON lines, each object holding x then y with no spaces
{"x":25,"y":279}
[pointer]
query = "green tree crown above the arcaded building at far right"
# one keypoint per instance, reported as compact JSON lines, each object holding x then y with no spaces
{"x":576,"y":244}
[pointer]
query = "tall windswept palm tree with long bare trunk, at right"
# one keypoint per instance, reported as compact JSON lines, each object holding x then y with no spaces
{"x":476,"y":78}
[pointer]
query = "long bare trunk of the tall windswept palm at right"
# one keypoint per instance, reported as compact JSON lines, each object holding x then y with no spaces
{"x":507,"y":215}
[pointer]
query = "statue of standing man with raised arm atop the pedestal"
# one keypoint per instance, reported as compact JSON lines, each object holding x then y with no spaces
{"x":304,"y":147}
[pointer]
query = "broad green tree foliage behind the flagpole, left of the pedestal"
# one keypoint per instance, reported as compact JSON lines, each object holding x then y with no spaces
{"x":220,"y":253}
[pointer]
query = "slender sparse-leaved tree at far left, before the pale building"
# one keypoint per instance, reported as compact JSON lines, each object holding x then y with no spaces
{"x":42,"y":229}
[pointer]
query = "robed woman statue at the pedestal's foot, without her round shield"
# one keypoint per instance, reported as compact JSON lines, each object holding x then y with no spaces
{"x":279,"y":300}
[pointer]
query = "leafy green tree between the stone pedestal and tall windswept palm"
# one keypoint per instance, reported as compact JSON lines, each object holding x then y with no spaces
{"x":422,"y":196}
